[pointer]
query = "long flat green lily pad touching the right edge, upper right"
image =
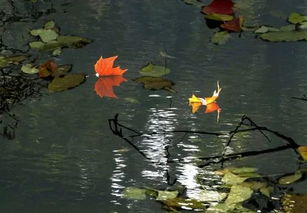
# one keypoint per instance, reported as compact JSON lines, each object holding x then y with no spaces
{"x":284,"y":36}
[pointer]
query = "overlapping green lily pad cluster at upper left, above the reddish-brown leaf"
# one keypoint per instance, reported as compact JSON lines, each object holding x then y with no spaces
{"x":51,"y":40}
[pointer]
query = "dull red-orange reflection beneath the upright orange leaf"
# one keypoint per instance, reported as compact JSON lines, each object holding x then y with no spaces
{"x":104,"y":85}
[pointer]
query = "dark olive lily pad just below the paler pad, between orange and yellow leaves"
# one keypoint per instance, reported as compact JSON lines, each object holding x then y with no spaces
{"x":155,"y":83}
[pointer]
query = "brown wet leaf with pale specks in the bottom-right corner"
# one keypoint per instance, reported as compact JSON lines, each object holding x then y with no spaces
{"x":294,"y":203}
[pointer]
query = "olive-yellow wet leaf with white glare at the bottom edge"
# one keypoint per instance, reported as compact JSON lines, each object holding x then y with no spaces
{"x":181,"y":203}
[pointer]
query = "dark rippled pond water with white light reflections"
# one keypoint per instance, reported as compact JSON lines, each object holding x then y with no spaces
{"x":64,"y":157}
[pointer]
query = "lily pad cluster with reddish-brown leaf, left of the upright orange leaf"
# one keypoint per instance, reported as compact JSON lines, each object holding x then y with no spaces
{"x":58,"y":75}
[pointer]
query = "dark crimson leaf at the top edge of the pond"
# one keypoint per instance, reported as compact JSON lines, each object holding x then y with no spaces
{"x":219,"y":6}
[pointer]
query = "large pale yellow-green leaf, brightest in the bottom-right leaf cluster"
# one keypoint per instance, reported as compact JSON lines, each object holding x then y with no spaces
{"x":237,"y":194}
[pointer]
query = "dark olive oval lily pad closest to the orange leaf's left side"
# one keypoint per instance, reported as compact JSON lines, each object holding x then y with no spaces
{"x":65,"y":82}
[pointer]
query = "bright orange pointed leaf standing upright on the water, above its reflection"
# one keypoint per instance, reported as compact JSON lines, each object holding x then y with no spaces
{"x":104,"y":67}
